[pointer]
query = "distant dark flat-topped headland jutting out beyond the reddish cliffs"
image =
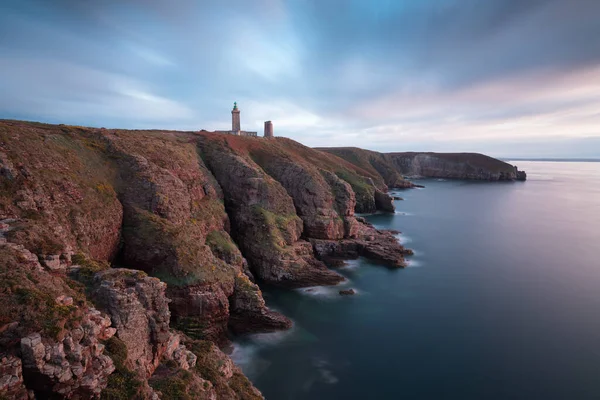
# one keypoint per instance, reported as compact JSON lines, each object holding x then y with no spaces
{"x":393,"y":167}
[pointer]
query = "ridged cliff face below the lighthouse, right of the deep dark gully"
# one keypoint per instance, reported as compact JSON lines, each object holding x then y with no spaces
{"x":285,"y":201}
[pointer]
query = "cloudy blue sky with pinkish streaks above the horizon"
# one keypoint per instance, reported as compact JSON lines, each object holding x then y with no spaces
{"x":509,"y":78}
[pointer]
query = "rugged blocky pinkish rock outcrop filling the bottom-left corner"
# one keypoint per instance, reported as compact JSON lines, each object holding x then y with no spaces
{"x":52,"y":329}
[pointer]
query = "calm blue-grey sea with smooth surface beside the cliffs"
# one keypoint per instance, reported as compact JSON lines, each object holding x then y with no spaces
{"x":501,"y":301}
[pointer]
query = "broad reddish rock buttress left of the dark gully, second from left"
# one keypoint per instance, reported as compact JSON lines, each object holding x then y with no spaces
{"x":175,"y":227}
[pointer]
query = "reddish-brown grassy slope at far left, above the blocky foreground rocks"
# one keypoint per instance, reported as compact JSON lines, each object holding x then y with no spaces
{"x":66,"y":170}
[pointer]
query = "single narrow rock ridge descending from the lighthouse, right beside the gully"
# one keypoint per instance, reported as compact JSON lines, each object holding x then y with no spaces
{"x":263,"y":218}
